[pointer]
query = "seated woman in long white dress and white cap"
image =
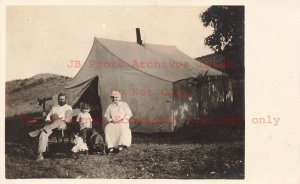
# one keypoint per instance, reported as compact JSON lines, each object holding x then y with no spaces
{"x":117,"y":131}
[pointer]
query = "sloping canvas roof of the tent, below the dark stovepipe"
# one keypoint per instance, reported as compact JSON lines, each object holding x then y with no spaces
{"x":162,"y":61}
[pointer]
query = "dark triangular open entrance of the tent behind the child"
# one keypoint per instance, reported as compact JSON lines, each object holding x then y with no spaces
{"x":91,"y":97}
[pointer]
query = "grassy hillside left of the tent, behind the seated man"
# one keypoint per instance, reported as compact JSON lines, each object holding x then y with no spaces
{"x":21,"y":95}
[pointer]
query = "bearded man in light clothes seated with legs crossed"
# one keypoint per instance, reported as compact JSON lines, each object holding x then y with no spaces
{"x":57,"y":118}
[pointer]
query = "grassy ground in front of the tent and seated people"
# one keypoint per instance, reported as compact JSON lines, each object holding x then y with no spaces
{"x":201,"y":152}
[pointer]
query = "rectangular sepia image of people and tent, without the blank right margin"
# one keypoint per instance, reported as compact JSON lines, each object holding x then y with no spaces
{"x":125,"y":92}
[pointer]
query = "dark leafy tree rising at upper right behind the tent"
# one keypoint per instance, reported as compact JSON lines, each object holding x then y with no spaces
{"x":228,"y":34}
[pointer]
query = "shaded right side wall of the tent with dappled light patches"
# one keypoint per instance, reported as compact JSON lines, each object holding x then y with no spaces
{"x":206,"y":97}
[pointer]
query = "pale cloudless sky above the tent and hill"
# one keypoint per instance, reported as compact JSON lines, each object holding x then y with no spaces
{"x":44,"y":39}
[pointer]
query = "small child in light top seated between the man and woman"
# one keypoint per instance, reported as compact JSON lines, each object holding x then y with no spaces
{"x":85,"y":120}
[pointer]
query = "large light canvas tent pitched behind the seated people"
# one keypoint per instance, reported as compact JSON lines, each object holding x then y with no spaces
{"x":155,"y":80}
